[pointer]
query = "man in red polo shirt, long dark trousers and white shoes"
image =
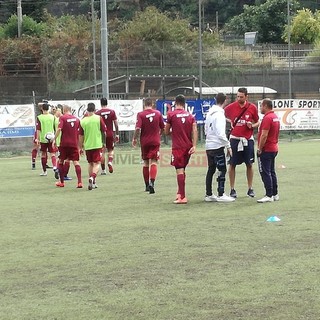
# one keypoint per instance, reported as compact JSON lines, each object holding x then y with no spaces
{"x":268,"y":137}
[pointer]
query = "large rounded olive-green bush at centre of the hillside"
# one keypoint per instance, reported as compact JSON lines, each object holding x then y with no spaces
{"x":153,"y":35}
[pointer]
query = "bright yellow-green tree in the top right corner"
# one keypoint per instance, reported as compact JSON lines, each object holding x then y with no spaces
{"x":305,"y":27}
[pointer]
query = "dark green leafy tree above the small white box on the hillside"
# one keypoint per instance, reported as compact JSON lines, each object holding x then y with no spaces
{"x":268,"y":19}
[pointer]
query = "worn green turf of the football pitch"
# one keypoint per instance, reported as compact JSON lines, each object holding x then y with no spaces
{"x":119,"y":253}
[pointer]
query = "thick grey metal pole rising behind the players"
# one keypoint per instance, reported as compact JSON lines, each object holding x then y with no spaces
{"x":104,"y":49}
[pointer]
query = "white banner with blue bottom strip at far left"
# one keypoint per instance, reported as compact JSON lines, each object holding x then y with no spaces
{"x":17,"y":121}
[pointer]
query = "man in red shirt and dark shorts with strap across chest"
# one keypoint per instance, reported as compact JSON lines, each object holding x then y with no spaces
{"x":243,"y":116}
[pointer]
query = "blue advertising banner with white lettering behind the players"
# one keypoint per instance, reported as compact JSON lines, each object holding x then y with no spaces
{"x":198,"y":108}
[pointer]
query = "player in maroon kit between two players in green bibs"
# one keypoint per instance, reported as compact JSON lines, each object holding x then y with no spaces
{"x":68,"y":127}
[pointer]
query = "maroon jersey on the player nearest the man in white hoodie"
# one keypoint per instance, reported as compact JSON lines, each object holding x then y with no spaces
{"x":181,"y":122}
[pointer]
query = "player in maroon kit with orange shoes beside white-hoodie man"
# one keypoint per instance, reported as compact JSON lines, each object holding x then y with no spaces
{"x":183,"y":129}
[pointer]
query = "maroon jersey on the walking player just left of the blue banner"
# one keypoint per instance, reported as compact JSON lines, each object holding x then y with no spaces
{"x":150,"y":122}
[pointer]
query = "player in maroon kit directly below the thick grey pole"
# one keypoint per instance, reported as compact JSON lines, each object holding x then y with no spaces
{"x":110,"y":120}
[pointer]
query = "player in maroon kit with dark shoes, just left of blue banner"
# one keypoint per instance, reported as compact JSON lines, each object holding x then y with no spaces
{"x":149,"y":126}
